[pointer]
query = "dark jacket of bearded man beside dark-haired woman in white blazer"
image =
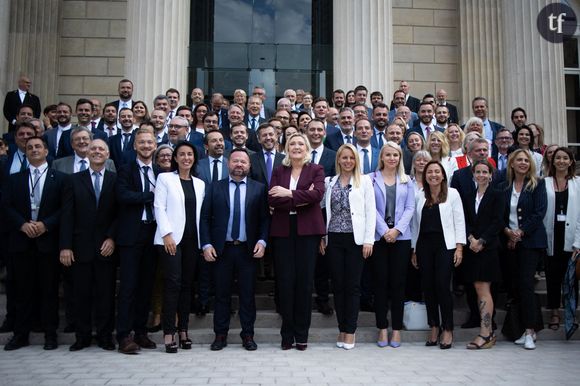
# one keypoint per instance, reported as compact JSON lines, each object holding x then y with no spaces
{"x":131,"y":199}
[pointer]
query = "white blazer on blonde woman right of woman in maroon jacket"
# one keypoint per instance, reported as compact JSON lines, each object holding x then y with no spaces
{"x":362,"y":208}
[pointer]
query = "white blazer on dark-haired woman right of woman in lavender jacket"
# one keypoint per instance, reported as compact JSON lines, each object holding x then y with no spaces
{"x":452,"y":219}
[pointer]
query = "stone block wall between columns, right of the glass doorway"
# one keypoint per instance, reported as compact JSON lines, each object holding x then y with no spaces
{"x":426,"y":47}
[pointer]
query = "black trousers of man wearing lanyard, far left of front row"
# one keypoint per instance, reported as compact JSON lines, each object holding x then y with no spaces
{"x":35,"y":276}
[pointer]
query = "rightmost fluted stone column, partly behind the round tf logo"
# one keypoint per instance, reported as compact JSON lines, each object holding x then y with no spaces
{"x":533,"y":70}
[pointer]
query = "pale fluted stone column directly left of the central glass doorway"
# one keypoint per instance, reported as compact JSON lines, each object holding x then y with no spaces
{"x":157,"y":47}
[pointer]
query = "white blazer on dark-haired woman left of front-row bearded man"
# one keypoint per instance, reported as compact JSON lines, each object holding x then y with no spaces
{"x":170,"y":206}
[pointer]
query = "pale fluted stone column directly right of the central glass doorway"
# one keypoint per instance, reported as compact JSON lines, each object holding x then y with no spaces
{"x":360,"y":58}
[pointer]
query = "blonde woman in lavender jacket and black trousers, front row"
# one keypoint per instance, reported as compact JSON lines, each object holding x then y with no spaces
{"x":395,"y":205}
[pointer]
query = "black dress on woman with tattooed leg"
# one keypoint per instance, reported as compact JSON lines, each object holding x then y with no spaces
{"x":486,"y":223}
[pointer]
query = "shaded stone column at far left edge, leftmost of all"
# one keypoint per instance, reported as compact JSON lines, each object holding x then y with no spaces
{"x":32,"y":45}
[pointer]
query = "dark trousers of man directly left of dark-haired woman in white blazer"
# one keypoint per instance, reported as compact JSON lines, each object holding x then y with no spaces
{"x":138,"y":264}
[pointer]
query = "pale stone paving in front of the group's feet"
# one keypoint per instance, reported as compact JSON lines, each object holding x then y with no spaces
{"x":552,"y":363}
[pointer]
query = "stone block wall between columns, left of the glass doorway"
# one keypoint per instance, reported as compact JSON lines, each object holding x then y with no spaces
{"x":92,"y":49}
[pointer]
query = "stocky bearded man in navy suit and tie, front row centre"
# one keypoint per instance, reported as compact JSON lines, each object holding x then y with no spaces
{"x":233,"y":237}
